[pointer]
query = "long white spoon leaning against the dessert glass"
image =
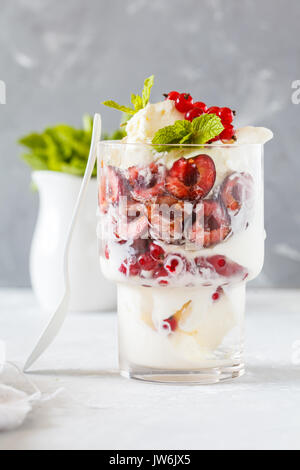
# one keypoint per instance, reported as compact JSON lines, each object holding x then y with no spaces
{"x":59,"y":316}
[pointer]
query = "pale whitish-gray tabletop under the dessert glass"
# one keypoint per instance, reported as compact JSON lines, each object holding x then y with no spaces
{"x":99,"y":410}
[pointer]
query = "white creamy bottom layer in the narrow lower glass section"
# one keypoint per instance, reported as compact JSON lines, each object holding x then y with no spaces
{"x":204,"y":327}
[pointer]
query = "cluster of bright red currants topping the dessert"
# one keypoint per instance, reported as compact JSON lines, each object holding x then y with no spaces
{"x":184,"y":104}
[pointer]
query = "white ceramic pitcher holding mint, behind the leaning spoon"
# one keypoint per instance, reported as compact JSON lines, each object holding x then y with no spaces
{"x":89,"y":290}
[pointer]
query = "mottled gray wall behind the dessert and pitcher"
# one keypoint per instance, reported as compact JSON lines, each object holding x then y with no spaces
{"x":60,"y":59}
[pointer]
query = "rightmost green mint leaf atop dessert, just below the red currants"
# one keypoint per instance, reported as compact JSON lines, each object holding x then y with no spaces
{"x":206,"y":127}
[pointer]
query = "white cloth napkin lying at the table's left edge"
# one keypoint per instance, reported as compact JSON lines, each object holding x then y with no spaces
{"x":18,"y":394}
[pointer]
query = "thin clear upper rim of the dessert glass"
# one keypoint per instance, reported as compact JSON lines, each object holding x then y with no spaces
{"x":178,"y":146}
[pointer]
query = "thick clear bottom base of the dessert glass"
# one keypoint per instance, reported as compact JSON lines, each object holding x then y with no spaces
{"x":203,"y":376}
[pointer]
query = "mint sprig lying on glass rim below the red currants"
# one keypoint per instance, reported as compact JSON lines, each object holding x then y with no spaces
{"x":200,"y":131}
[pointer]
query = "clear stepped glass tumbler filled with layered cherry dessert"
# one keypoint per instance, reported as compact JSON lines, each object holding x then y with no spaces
{"x":181,"y":231}
